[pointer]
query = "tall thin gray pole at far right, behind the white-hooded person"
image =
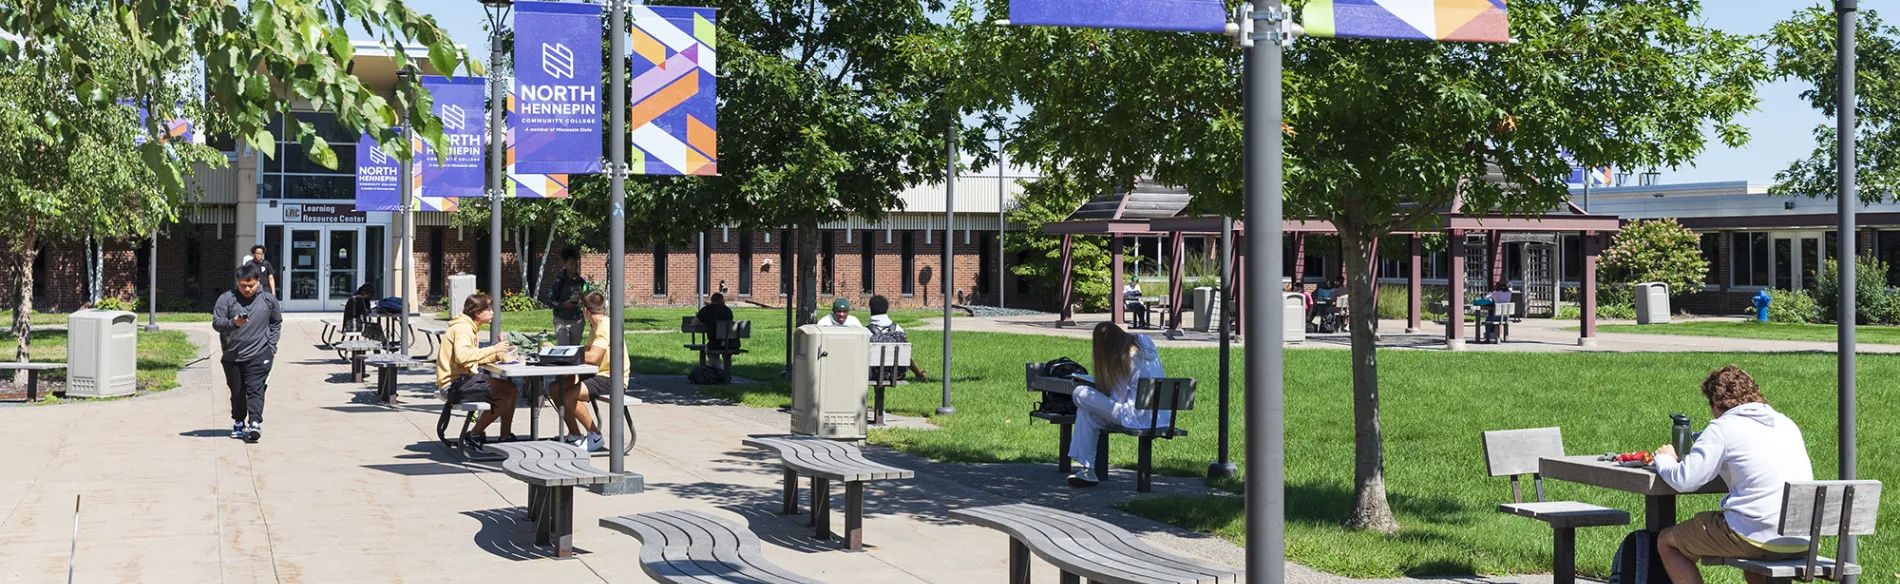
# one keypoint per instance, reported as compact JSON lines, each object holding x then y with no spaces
{"x":1848,"y":199}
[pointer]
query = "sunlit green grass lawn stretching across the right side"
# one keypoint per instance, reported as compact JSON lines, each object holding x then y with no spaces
{"x":1434,"y":408}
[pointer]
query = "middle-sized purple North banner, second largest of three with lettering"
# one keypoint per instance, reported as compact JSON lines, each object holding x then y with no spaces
{"x":463,"y":107}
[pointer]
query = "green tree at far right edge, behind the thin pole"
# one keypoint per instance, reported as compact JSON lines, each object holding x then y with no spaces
{"x":1806,"y":50}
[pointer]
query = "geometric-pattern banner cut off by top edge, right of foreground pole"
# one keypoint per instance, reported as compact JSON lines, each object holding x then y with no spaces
{"x":1409,"y":20}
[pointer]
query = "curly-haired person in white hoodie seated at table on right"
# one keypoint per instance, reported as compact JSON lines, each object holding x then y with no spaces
{"x":1755,"y":450}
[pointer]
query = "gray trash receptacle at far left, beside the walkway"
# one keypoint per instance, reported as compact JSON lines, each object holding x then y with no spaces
{"x":102,"y":353}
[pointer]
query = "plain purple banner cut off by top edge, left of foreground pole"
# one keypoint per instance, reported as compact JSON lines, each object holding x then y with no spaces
{"x":1175,"y":16}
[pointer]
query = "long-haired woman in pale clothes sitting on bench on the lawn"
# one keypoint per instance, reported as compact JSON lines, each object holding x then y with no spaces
{"x":1109,"y":399}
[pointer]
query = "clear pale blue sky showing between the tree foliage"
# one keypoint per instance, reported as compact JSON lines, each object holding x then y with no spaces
{"x":1781,"y":132}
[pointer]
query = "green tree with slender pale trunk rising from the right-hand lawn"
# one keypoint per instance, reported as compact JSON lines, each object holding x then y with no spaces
{"x":1382,"y":134}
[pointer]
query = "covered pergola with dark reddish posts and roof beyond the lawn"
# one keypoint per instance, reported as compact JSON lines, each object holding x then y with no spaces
{"x":1477,"y":256}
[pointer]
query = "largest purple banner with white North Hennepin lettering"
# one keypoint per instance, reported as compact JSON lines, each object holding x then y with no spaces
{"x":558,"y":88}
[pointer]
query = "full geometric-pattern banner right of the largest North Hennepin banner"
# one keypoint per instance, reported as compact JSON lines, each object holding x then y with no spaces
{"x":674,"y":92}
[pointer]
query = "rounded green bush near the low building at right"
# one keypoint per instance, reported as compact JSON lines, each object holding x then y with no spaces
{"x":1656,"y":252}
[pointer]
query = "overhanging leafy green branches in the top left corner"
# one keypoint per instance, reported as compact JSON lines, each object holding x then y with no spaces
{"x":257,"y":60}
